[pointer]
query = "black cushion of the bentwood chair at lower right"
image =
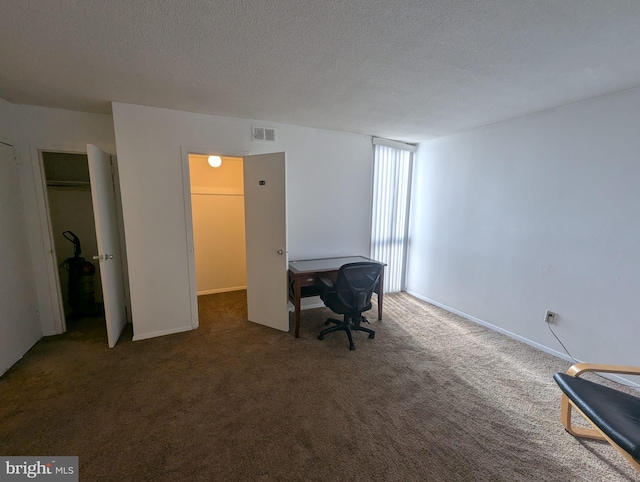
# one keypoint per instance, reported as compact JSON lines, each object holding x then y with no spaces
{"x":616,"y":413}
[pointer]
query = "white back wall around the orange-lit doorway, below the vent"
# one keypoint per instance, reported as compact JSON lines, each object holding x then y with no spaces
{"x":328,"y":198}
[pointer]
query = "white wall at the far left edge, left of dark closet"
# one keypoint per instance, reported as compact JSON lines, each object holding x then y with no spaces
{"x":19,"y":323}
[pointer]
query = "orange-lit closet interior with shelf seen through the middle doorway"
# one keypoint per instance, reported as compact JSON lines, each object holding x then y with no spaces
{"x":217,"y":210}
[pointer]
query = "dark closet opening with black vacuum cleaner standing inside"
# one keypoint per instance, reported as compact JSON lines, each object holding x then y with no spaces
{"x":73,"y":232}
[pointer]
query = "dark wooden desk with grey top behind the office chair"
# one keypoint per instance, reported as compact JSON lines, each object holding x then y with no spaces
{"x":304,"y":279}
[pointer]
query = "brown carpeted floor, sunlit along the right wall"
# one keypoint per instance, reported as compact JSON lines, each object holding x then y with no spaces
{"x":433,"y":397}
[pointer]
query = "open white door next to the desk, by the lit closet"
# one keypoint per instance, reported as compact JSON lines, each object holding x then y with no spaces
{"x":266,"y":239}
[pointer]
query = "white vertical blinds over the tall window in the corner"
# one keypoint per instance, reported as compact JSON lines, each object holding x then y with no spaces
{"x":391,"y":193}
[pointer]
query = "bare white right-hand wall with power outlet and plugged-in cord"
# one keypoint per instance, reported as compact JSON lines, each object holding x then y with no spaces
{"x":537,"y":213}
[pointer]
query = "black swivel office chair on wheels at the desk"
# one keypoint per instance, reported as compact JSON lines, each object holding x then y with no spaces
{"x":350,"y":295}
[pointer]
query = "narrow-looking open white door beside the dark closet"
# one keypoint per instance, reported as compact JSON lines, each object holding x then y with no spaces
{"x":107,"y":233}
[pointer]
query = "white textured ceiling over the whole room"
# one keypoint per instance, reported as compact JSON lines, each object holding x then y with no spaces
{"x":405,"y":69}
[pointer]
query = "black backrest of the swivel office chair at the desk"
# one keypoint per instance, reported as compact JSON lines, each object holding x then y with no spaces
{"x":355,"y":284}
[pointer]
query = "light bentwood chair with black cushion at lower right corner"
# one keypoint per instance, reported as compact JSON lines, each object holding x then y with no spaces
{"x":614,"y":415}
